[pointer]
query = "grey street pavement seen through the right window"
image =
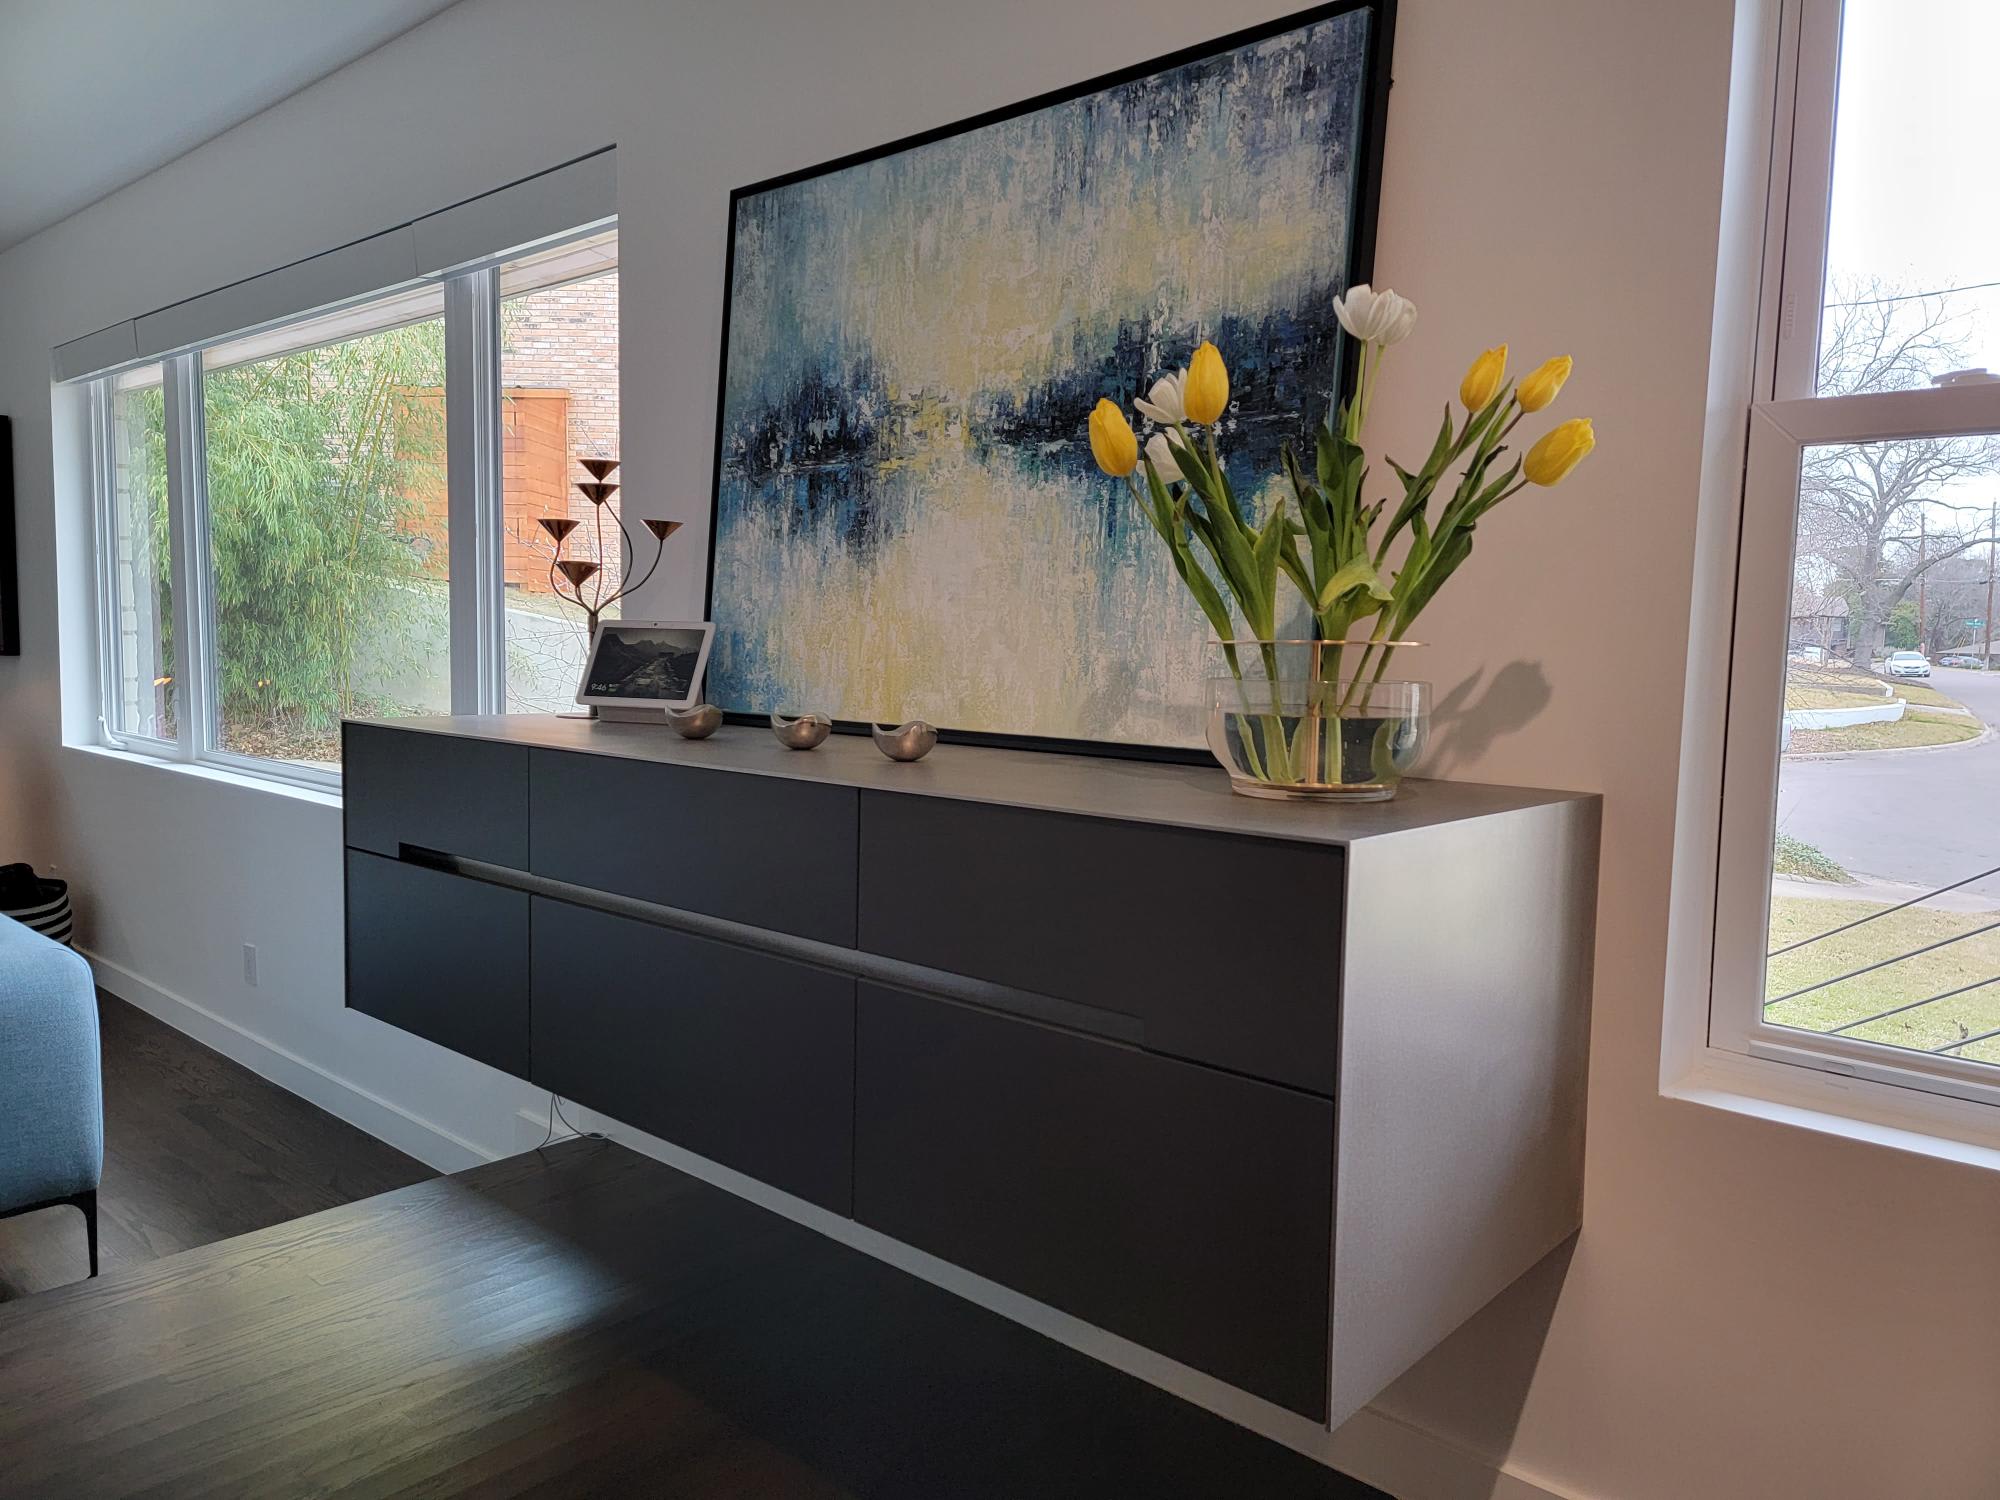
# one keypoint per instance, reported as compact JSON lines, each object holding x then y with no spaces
{"x":1913,"y":817}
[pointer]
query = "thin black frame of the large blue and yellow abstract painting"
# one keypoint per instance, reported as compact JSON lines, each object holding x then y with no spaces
{"x":1361,"y":269}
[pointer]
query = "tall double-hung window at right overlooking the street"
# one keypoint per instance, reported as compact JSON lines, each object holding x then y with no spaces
{"x":1859,"y":895}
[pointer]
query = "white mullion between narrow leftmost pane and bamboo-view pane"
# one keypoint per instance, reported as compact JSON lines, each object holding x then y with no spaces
{"x":195,"y":603}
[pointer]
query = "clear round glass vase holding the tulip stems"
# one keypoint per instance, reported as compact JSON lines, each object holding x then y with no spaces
{"x":1315,"y":721}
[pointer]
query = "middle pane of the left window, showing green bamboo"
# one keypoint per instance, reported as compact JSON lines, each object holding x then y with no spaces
{"x":327,"y":529}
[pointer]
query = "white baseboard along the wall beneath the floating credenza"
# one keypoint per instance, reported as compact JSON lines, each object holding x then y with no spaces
{"x":1373,"y":1447}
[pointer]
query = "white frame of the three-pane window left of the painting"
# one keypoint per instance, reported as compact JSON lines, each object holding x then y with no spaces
{"x":475,"y":525}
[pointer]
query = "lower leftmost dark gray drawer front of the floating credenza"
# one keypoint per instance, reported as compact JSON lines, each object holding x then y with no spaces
{"x":441,"y":957}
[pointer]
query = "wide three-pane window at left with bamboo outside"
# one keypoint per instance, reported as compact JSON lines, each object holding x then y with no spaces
{"x":295,"y":527}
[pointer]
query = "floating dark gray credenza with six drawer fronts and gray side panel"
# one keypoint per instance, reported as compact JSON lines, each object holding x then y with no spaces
{"x":1283,"y":1093}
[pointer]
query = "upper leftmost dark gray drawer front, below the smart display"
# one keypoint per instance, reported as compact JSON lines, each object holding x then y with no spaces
{"x":435,"y":791}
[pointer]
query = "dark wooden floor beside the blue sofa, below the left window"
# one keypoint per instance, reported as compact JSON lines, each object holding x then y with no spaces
{"x":197,"y":1149}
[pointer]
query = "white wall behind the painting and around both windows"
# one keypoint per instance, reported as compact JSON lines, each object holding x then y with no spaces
{"x":1751,"y":1311}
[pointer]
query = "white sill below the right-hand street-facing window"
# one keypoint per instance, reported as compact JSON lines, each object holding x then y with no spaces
{"x":1853,"y":1109}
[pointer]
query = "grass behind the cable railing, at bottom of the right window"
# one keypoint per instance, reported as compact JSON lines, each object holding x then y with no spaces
{"x":1915,"y":979}
